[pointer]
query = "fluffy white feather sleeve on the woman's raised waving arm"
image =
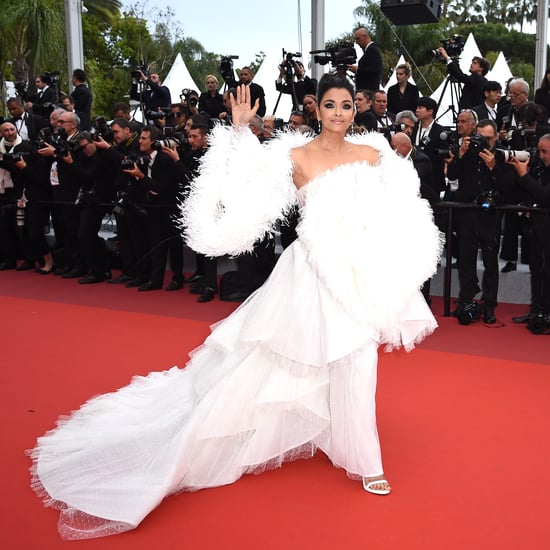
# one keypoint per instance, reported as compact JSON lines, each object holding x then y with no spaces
{"x":242,"y":190}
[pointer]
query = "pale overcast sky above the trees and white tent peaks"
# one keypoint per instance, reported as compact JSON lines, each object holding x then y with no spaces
{"x":246,"y":27}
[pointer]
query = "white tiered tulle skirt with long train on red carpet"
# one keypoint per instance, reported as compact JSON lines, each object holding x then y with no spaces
{"x":289,"y":372}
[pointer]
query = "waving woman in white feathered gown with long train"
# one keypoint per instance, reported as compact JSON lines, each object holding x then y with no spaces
{"x":293,"y":369}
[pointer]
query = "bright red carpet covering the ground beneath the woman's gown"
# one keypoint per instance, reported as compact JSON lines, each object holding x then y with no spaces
{"x":463,"y":422}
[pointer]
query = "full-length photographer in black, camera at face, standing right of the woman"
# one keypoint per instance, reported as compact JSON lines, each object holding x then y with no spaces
{"x":482,"y":177}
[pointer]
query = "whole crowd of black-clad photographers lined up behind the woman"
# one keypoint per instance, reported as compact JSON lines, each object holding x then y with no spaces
{"x":498,"y":153}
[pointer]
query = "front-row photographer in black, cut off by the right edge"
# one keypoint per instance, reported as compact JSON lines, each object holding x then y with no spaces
{"x":535,"y":180}
